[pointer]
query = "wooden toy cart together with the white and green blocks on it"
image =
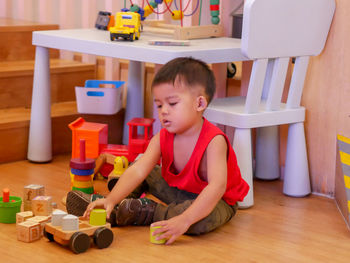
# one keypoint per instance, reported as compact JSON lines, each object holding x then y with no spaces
{"x":75,"y":233}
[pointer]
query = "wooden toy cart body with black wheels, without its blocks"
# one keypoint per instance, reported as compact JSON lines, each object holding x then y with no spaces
{"x":79,"y":241}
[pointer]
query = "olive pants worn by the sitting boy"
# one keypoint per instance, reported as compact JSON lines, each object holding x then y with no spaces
{"x":177,"y":201}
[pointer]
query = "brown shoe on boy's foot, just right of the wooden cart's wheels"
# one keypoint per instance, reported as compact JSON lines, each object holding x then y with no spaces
{"x":135,"y":212}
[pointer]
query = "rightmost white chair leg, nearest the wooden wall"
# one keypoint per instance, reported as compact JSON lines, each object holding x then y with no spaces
{"x":296,"y":178}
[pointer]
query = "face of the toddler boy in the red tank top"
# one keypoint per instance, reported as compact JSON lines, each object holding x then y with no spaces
{"x":177,"y":107}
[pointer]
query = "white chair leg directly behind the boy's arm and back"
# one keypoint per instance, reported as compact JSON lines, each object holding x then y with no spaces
{"x":242,"y":145}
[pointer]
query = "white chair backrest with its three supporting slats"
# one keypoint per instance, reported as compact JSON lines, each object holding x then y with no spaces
{"x":273,"y":32}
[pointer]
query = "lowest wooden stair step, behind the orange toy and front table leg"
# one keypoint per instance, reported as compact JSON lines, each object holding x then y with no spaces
{"x":14,"y":129}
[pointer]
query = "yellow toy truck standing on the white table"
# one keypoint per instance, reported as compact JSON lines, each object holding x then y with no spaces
{"x":127,"y":26}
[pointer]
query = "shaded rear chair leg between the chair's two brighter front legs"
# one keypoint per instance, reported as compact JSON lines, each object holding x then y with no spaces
{"x":267,"y":153}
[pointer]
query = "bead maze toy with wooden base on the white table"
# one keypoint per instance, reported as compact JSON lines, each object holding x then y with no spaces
{"x":180,"y":11}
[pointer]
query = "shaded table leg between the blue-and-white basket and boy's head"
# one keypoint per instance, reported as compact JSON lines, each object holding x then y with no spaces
{"x":135,"y":96}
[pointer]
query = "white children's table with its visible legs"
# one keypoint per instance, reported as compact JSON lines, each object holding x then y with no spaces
{"x":97,"y":42}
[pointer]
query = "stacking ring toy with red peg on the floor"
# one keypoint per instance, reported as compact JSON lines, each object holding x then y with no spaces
{"x":82,"y":171}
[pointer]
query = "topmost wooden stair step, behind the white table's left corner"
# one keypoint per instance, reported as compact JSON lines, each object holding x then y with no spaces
{"x":16,"y":39}
